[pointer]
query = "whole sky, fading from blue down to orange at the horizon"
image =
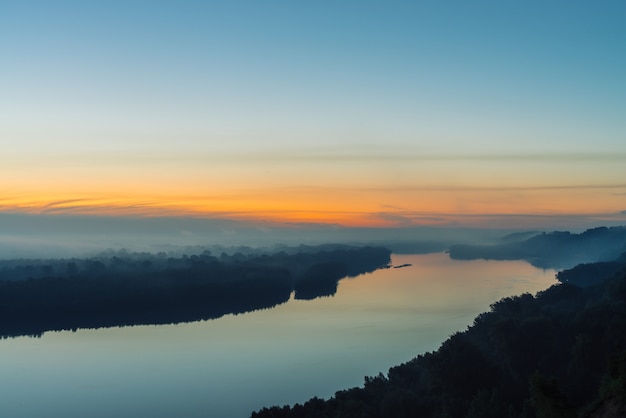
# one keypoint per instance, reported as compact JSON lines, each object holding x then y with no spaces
{"x":391,"y":114}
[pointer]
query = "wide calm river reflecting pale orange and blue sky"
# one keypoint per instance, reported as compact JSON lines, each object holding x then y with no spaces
{"x":231,"y":366}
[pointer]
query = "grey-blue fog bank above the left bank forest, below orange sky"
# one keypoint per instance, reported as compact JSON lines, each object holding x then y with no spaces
{"x":34,"y":236}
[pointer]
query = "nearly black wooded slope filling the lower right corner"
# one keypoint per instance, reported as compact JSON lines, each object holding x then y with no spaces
{"x":561,"y":353}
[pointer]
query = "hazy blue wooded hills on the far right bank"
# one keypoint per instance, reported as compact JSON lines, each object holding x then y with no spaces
{"x":550,"y":250}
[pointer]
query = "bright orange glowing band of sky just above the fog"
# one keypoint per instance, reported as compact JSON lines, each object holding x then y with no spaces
{"x":331,"y":206}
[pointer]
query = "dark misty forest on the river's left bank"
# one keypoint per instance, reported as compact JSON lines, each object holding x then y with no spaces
{"x":121,"y":288}
